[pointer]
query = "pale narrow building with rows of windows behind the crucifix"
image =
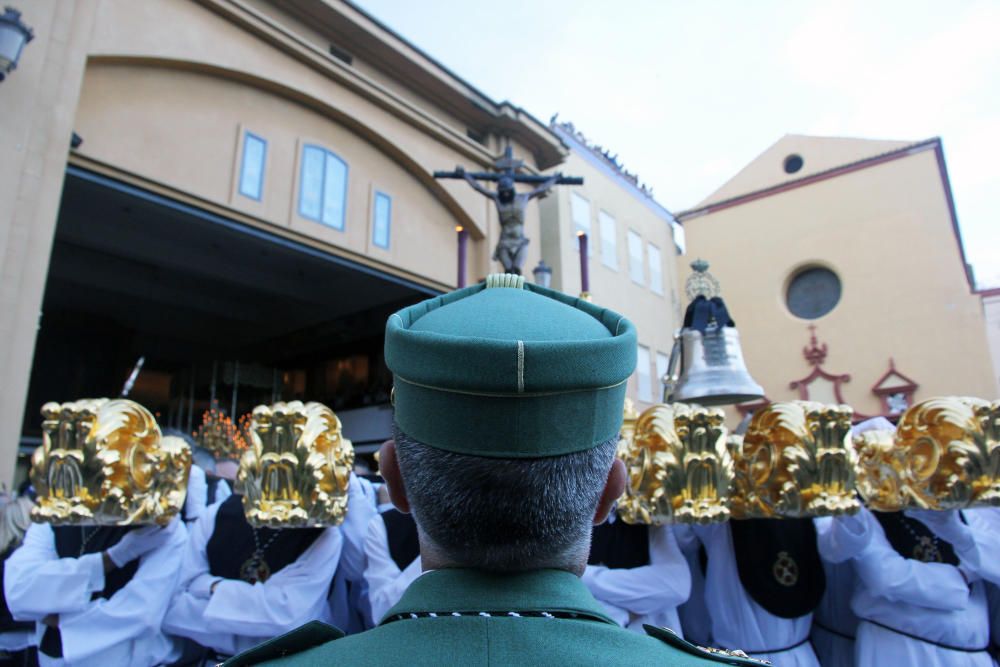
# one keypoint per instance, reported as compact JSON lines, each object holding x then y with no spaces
{"x":632,"y":252}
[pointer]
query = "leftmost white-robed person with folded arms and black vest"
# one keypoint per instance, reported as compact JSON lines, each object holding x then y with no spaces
{"x":80,"y":620}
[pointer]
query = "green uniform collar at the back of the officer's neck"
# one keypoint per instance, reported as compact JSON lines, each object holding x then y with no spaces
{"x":473,"y":591}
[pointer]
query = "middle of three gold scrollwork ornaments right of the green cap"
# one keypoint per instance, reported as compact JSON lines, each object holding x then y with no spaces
{"x":795,"y":460}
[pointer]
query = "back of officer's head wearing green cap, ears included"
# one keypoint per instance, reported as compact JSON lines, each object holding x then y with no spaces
{"x":508,"y":402}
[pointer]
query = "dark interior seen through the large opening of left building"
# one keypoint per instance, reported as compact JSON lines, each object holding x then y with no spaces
{"x":215,"y":308}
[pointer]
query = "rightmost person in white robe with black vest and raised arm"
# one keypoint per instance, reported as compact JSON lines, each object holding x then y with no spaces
{"x":916,"y":608}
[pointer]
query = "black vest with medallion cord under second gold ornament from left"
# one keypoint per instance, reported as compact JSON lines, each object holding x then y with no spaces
{"x":232,"y":542}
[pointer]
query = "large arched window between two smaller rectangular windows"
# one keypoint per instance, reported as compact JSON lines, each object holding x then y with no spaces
{"x":323,"y":187}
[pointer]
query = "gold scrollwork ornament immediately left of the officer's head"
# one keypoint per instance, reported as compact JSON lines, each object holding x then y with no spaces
{"x":297,"y":469}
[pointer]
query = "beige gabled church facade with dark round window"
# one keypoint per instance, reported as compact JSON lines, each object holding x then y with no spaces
{"x":843,"y":268}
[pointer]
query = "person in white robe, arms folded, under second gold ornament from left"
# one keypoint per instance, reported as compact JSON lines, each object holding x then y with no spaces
{"x":230,"y":614}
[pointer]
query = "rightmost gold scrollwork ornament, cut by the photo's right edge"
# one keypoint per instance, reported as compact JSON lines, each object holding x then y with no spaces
{"x":945,"y":454}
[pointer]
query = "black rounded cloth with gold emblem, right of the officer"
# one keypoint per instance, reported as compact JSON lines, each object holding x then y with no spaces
{"x":778,"y":563}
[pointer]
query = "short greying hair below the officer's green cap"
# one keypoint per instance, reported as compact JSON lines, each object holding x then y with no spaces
{"x":505,"y":514}
